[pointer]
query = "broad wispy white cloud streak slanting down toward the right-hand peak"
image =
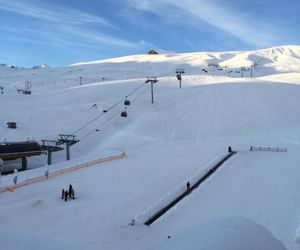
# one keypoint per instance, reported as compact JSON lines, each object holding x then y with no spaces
{"x":246,"y":29}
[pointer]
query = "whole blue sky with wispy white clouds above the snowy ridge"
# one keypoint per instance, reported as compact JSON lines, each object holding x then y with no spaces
{"x":61,"y":32}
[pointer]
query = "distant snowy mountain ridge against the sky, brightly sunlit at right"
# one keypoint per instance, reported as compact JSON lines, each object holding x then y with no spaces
{"x":276,"y":60}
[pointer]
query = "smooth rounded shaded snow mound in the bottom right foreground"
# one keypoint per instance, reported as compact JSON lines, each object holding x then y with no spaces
{"x":223,"y":234}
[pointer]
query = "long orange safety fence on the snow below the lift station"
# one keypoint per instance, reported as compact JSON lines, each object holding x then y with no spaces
{"x":59,"y":172}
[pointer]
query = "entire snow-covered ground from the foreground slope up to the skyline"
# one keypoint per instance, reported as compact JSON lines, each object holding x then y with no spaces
{"x":253,"y":196}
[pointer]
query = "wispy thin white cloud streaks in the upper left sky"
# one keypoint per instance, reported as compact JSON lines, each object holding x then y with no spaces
{"x":61,"y":26}
